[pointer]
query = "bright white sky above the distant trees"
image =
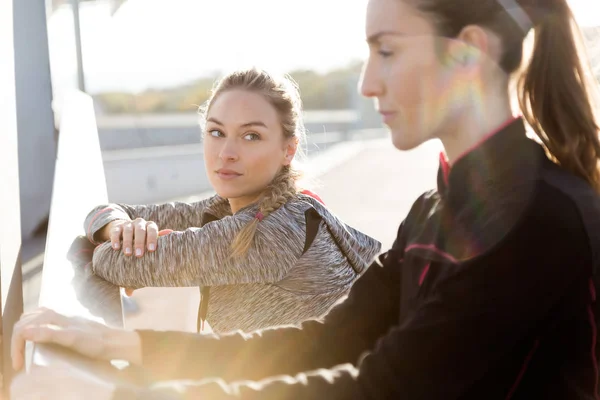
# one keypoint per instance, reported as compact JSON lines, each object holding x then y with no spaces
{"x":160,"y":43}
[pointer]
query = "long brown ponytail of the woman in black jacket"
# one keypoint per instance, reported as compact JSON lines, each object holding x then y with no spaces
{"x":555,"y":95}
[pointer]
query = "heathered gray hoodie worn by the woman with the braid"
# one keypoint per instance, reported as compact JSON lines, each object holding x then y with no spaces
{"x":287,"y":276}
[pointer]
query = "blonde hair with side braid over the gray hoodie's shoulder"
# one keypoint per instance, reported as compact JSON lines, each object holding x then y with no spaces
{"x":283,"y":94}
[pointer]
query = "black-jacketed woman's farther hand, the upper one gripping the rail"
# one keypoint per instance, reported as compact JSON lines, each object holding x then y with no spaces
{"x":82,"y":335}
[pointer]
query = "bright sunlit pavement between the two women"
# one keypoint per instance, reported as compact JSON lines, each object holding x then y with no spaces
{"x":373,"y":190}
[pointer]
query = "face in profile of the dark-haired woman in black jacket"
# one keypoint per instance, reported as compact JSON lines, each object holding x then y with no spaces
{"x":414,"y":85}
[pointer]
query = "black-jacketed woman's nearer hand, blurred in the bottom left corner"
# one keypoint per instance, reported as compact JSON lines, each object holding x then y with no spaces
{"x":59,"y":383}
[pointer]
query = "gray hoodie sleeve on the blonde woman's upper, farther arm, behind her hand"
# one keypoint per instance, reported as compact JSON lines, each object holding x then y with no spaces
{"x":174,"y":215}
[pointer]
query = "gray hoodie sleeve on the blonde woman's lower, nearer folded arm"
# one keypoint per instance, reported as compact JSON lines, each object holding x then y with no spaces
{"x":202,"y":256}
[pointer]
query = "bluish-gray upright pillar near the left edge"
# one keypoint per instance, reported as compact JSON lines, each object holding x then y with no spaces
{"x":35,"y":118}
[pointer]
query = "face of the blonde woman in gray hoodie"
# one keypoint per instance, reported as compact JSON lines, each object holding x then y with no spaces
{"x":244,"y":146}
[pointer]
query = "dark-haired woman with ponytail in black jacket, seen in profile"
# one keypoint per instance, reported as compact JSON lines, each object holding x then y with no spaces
{"x":489,"y":291}
